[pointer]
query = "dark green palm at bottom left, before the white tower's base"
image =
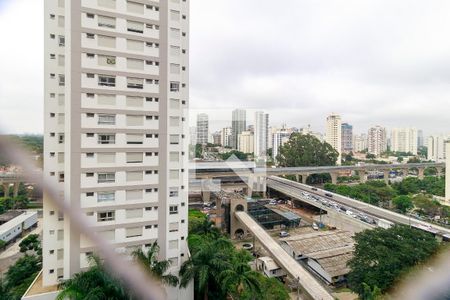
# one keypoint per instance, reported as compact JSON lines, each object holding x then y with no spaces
{"x":95,"y":283}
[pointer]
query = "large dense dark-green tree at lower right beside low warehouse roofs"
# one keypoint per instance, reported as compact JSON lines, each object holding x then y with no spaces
{"x":382,"y":255}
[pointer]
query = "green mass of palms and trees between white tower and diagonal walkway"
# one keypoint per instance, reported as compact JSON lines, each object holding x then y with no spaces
{"x":219,"y":270}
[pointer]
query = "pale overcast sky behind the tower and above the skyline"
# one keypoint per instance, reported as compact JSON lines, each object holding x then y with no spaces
{"x":373,"y":62}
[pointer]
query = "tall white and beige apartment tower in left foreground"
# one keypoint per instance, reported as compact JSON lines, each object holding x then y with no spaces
{"x":116,"y":96}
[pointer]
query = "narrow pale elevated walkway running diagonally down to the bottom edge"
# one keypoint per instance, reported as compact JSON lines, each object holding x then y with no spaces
{"x":312,"y":287}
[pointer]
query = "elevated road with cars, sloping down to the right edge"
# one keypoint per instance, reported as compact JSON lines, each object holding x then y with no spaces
{"x":375,"y":211}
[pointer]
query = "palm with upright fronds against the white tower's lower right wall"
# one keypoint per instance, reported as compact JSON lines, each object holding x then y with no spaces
{"x":154,"y":267}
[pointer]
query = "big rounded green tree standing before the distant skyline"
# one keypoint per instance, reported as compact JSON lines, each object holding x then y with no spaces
{"x":306,"y":150}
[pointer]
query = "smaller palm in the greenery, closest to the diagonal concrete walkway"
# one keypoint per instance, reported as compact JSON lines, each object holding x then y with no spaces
{"x":240,"y":277}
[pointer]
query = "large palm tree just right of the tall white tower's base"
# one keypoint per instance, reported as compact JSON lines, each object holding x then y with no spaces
{"x":209,"y":257}
